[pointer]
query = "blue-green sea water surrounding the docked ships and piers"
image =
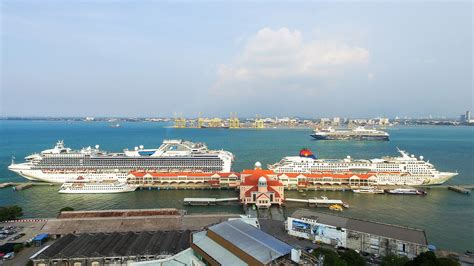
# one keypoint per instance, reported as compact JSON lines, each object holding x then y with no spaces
{"x":446,"y":216}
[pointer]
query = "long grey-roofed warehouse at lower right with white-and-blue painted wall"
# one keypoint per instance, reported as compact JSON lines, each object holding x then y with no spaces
{"x":367,"y":236}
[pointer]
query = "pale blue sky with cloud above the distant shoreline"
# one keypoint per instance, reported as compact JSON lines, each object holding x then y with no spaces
{"x":308,"y":59}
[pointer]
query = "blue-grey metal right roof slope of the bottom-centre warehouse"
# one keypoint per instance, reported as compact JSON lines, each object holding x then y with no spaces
{"x":256,"y":243}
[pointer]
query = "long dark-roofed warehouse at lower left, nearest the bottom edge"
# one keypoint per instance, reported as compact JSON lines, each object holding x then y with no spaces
{"x":113,"y":248}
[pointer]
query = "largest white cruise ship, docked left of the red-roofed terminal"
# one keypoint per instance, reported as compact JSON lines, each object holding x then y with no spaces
{"x":60,"y":164}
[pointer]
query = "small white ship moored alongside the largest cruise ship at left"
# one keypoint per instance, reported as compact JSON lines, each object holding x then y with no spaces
{"x":84,"y":186}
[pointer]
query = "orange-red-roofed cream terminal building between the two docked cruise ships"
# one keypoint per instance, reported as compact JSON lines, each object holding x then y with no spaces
{"x":260,"y":187}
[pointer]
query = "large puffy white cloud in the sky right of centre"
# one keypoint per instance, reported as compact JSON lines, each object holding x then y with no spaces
{"x":272,"y":56}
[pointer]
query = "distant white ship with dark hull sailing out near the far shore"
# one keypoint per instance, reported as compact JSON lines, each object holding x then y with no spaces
{"x":359,"y":133}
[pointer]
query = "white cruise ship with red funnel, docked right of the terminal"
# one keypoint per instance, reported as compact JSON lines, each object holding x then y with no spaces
{"x":405,"y":169}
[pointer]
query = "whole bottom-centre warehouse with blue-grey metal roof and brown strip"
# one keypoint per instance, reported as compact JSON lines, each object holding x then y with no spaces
{"x":238,"y":243}
